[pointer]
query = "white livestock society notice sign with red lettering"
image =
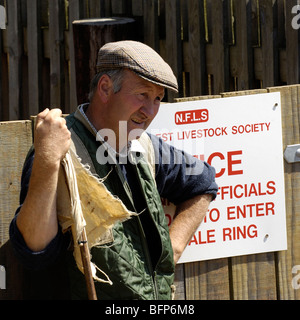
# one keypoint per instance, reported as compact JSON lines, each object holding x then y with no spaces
{"x":241,"y":137}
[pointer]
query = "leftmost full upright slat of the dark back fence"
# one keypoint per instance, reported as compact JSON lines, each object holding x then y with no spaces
{"x":15,"y":50}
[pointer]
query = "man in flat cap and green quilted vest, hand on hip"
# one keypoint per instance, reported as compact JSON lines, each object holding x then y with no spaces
{"x":138,"y":255}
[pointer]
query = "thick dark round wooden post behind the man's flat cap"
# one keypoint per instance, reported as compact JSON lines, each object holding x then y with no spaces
{"x":89,"y":36}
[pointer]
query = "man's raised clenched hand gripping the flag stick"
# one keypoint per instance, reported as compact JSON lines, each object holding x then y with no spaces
{"x":51,"y":137}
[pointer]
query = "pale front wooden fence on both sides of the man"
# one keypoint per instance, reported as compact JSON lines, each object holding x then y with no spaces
{"x":256,"y":277}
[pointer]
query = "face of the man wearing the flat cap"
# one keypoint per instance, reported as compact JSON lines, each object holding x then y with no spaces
{"x":137,"y":104}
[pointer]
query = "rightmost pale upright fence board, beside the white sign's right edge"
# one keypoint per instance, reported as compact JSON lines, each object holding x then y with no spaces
{"x":290,"y":100}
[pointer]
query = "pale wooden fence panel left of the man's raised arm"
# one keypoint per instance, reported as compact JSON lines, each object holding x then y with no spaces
{"x":51,"y":283}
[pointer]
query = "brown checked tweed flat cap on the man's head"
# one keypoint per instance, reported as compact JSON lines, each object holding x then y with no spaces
{"x":139,"y":58}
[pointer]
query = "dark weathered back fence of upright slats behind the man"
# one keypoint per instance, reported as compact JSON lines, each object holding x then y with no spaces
{"x":213,"y":46}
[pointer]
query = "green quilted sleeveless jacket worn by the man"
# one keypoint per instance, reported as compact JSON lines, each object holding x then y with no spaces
{"x":125,"y":256}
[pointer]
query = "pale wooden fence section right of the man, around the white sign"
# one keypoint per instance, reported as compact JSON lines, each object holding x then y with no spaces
{"x":266,"y":276}
